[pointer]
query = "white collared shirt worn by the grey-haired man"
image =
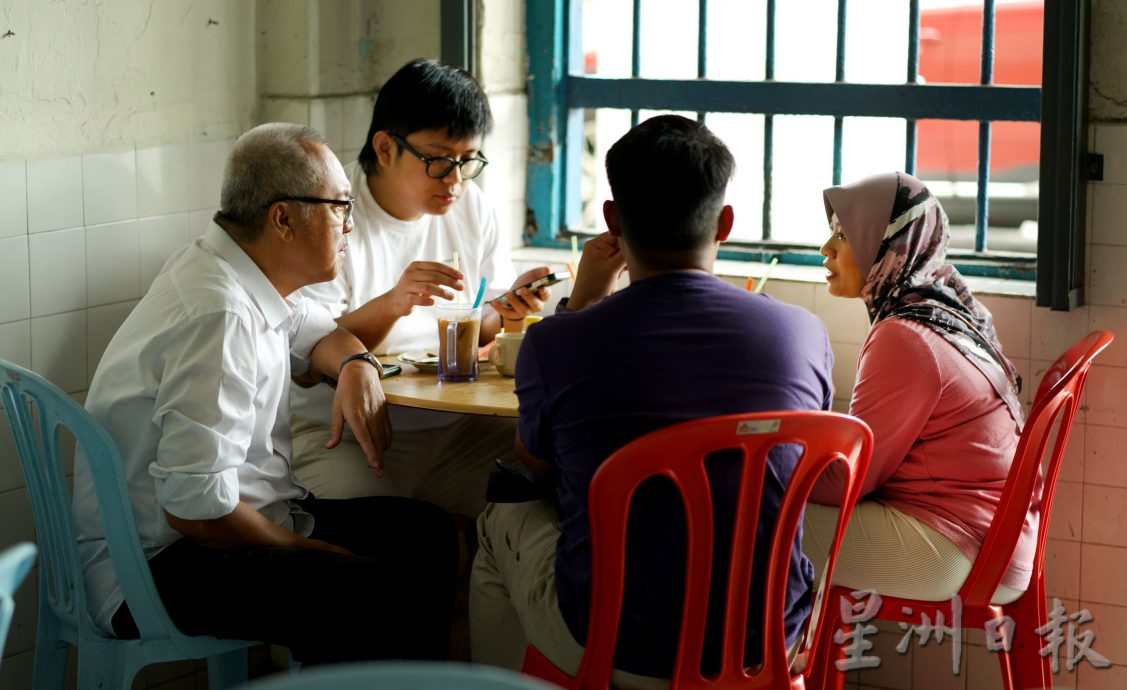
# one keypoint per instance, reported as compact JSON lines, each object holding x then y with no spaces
{"x":194,"y":390}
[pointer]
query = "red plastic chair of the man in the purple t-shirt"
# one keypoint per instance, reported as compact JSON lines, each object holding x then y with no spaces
{"x":678,"y":453}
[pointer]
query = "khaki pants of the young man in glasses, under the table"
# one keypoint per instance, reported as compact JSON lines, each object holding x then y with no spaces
{"x":448,"y":466}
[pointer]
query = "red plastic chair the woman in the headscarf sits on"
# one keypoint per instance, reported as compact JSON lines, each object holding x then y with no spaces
{"x":1023,"y":668}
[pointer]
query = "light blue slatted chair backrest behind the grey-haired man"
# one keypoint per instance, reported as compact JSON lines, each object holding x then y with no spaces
{"x":38,"y":411}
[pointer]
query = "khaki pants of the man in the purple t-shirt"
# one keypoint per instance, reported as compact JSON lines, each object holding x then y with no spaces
{"x":513,"y":594}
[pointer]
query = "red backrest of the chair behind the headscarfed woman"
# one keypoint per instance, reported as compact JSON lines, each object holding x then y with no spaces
{"x":1054,"y":410}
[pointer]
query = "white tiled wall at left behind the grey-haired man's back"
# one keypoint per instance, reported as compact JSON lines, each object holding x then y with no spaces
{"x":86,"y":234}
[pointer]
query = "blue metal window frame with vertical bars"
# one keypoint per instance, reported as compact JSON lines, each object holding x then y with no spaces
{"x":557,"y":99}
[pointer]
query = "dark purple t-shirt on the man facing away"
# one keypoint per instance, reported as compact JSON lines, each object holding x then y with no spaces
{"x":669,"y":349}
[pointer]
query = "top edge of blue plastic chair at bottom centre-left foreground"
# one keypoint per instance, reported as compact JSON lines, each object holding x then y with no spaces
{"x":403,"y":676}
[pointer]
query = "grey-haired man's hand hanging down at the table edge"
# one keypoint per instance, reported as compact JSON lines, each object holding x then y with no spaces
{"x":360,"y":402}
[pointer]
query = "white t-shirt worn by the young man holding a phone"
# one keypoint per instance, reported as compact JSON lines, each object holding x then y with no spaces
{"x":380,"y":249}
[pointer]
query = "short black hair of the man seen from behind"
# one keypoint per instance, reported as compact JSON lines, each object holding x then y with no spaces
{"x":669,"y":176}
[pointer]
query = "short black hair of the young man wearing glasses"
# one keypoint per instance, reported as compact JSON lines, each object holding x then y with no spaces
{"x":428,"y":95}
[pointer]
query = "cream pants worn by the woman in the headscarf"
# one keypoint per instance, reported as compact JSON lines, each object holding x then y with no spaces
{"x":890,"y":552}
